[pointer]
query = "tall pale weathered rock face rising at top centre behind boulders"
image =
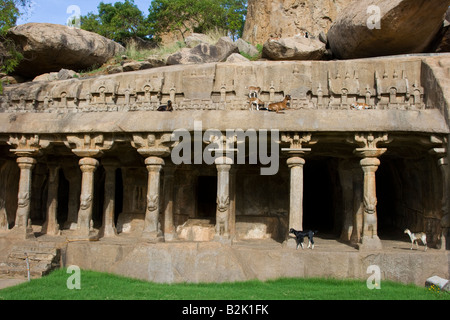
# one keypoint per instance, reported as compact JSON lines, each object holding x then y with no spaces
{"x":280,"y":18}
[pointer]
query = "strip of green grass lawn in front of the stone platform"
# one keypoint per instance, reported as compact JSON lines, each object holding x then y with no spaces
{"x":102,"y":286}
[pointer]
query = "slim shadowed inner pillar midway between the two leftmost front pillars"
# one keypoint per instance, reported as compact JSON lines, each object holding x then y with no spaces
{"x":51,"y":226}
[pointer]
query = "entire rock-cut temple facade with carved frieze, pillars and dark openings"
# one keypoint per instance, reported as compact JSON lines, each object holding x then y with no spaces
{"x":94,"y":158}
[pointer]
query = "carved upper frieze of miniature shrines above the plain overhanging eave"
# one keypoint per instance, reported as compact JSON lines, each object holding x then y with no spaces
{"x":312,"y":85}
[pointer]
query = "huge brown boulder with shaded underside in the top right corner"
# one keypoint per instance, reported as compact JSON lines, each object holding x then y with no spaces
{"x":404,"y":26}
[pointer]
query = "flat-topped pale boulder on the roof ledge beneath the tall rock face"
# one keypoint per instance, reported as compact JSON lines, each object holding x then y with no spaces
{"x":295,"y":48}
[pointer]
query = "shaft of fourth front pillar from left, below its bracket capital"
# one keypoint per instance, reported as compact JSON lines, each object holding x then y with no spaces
{"x":223,"y":165}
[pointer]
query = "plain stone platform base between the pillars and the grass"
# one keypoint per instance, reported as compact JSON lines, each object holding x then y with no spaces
{"x":183,"y":261}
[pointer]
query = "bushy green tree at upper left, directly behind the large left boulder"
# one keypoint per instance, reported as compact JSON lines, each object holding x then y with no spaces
{"x":118,"y":21}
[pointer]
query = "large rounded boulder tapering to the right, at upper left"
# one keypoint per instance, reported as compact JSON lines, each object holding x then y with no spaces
{"x":50,"y":47}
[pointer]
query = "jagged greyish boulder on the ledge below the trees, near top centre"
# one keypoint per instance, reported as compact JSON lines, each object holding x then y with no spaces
{"x":205,"y":53}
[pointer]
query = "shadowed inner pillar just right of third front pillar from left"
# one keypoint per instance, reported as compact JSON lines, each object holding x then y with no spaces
{"x":169,"y":228}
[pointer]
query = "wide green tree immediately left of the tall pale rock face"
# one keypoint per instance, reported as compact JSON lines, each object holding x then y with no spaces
{"x":186,"y":16}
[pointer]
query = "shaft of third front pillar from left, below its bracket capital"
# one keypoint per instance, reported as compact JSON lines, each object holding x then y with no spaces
{"x":152,"y":228}
